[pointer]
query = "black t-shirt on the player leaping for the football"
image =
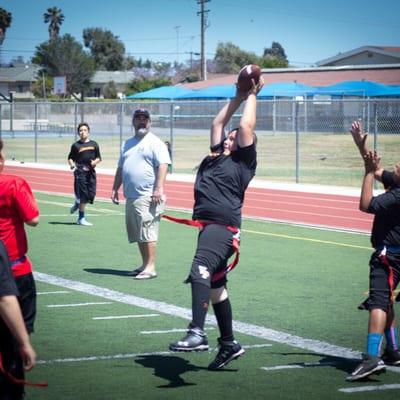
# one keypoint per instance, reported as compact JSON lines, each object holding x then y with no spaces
{"x":221,"y":183}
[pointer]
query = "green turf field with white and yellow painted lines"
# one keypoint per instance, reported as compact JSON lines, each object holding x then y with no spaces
{"x":294,"y":295}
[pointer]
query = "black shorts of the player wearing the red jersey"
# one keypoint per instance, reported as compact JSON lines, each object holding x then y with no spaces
{"x":27,"y":299}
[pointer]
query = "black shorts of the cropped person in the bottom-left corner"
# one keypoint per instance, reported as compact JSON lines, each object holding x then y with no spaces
{"x":12,"y":363}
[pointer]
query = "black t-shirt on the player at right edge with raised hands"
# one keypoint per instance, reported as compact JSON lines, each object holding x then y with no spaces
{"x":386,"y":207}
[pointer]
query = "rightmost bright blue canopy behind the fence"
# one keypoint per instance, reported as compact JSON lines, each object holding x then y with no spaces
{"x":358,"y":88}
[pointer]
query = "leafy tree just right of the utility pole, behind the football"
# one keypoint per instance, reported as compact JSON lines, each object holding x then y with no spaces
{"x":230,"y":58}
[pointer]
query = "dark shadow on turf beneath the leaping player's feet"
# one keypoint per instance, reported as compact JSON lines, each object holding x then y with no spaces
{"x":169,"y":368}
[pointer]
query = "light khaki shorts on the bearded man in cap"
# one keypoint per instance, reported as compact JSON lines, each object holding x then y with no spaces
{"x":142,"y":218}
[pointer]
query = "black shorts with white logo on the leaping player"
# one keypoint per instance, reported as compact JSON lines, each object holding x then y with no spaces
{"x":214,"y":248}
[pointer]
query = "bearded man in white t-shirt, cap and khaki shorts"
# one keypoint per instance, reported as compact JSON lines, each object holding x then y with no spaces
{"x":142,"y":169}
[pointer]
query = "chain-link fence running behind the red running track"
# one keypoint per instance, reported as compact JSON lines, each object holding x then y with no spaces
{"x":304,"y":141}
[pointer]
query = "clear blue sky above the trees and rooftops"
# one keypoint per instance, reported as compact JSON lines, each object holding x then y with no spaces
{"x":308,"y":30}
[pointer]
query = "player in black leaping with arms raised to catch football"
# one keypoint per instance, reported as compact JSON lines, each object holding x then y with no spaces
{"x":221,"y":182}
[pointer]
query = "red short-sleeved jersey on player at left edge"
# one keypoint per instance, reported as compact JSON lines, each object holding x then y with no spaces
{"x":17,"y":206}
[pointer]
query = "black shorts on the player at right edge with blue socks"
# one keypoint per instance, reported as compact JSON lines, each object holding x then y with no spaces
{"x":379,"y":288}
